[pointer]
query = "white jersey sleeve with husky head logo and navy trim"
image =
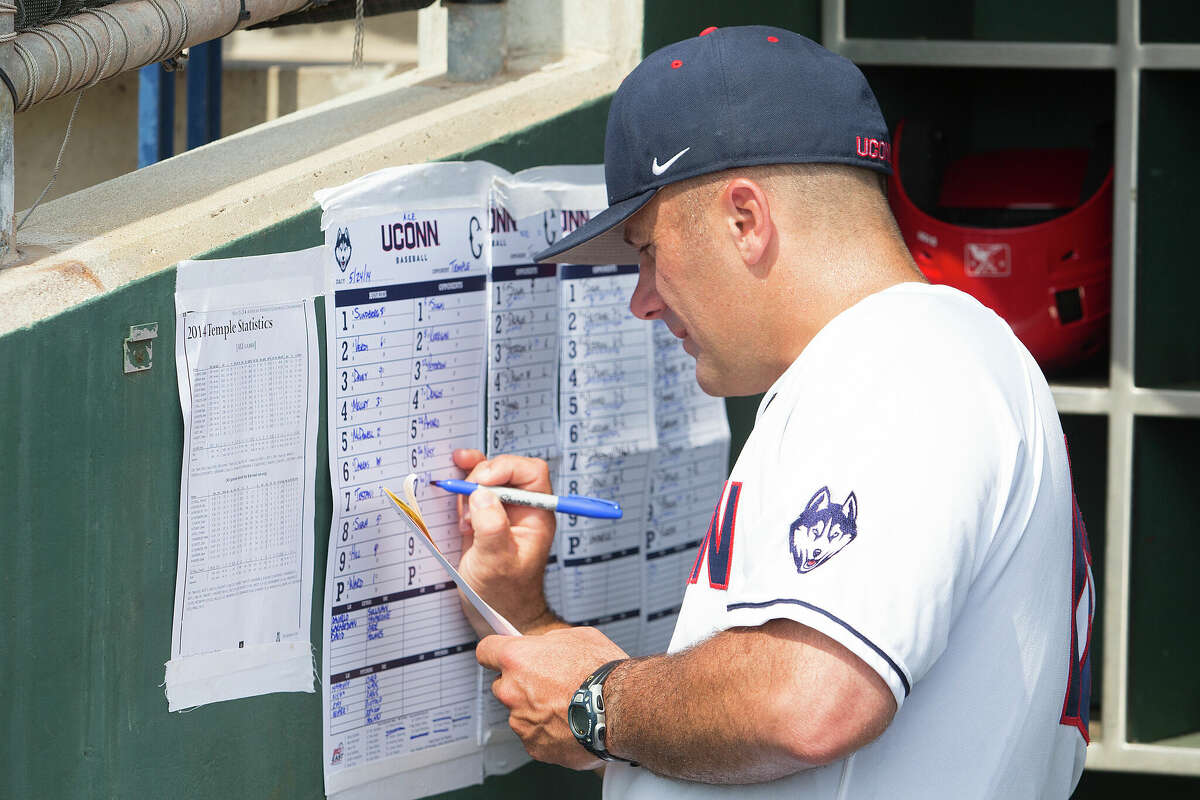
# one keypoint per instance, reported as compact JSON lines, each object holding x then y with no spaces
{"x":873,"y":508}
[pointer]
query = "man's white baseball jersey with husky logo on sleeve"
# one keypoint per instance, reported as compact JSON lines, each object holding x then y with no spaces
{"x":907,"y":491}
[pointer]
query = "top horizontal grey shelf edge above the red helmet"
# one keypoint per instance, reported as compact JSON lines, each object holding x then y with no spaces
{"x":1016,"y":56}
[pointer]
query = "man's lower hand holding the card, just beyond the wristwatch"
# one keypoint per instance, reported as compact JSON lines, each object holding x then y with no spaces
{"x":538,"y":677}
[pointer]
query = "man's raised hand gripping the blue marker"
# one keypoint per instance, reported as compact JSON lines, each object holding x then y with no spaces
{"x":505,"y":549}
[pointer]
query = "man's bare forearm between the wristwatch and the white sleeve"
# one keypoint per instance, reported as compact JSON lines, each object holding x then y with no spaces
{"x":747,"y":706}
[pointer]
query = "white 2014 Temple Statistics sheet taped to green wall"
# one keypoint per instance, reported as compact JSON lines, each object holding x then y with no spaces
{"x":247,"y":358}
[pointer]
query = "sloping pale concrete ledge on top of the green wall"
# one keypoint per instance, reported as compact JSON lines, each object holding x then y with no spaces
{"x":103,"y":238}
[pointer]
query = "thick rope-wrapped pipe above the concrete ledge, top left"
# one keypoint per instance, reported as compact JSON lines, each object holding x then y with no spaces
{"x":98,"y":44}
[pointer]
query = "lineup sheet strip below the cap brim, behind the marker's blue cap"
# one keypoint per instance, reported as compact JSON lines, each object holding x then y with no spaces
{"x":608,"y":441}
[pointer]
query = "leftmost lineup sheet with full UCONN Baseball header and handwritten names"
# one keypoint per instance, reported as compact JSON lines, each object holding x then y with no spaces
{"x":407,"y":335}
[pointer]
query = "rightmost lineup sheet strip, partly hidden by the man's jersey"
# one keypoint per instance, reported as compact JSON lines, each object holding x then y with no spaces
{"x":688,"y":474}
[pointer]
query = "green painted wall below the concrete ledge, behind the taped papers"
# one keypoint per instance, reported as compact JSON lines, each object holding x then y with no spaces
{"x":89,"y":496}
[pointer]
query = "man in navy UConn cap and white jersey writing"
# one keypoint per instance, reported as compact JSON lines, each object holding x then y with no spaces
{"x":893,"y":599}
